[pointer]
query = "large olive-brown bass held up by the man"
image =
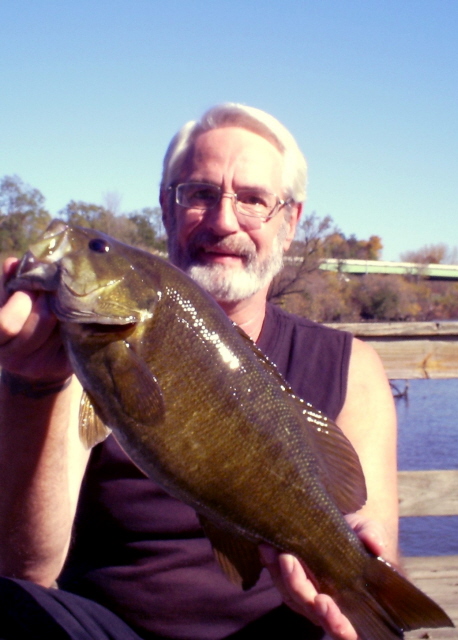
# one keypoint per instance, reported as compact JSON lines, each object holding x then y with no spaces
{"x":200,"y":409}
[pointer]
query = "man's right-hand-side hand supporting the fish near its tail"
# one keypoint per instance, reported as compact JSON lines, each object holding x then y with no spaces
{"x":300,"y":594}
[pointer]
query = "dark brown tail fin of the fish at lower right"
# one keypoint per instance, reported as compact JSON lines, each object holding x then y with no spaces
{"x":389,"y":605}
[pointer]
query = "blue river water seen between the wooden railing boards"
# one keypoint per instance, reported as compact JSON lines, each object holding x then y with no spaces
{"x":428,"y":439}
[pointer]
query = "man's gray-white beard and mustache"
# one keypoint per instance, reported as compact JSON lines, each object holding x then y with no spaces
{"x":218,"y":280}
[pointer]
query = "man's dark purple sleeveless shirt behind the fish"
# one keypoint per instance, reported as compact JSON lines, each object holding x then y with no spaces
{"x":142,"y":554}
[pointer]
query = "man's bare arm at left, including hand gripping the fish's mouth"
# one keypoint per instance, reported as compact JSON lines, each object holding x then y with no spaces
{"x":41,"y":459}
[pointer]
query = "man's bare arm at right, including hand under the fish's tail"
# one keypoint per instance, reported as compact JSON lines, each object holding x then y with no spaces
{"x":368,"y":419}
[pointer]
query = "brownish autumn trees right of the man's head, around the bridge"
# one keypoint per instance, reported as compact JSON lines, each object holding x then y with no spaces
{"x":327,"y":296}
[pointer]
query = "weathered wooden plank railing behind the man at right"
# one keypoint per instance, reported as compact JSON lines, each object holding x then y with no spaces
{"x":423,"y":350}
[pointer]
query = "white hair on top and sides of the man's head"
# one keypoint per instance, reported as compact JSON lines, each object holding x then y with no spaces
{"x":236,"y":115}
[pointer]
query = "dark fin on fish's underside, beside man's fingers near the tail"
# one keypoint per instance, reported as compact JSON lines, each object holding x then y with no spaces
{"x":237,"y":557}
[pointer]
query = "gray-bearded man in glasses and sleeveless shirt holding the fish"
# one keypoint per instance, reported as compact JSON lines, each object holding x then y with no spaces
{"x":231,"y":195}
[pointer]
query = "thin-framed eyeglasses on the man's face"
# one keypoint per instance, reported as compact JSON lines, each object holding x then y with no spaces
{"x":201,"y":196}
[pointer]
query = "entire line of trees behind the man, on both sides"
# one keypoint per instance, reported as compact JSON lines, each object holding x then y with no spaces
{"x":301,"y":287}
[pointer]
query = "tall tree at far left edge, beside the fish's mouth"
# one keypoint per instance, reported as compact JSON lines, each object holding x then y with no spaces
{"x":22,"y":215}
